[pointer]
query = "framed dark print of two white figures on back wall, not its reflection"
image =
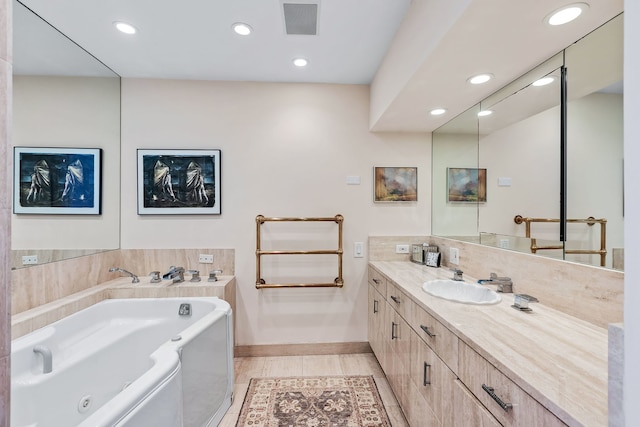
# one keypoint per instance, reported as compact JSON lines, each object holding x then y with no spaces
{"x":179,"y":182}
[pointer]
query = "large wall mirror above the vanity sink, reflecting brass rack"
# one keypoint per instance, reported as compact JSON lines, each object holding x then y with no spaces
{"x":516,"y":142}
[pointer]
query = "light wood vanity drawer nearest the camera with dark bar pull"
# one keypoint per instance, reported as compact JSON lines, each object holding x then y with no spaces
{"x":511,"y":405}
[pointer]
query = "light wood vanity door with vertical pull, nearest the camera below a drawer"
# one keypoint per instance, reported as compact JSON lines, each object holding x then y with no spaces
{"x":433,"y":379}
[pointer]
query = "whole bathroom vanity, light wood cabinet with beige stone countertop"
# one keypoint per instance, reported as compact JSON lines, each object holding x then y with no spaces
{"x":458,"y":364}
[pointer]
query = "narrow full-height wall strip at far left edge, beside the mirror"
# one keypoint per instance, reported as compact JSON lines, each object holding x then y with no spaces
{"x":5,"y":207}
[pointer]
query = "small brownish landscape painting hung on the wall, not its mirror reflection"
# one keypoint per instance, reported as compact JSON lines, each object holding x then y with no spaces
{"x":395,"y":184}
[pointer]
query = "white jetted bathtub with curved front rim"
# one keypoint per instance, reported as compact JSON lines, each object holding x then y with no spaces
{"x":127,"y":362}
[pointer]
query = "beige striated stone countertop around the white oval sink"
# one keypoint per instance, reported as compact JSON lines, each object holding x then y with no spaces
{"x":560,"y":360}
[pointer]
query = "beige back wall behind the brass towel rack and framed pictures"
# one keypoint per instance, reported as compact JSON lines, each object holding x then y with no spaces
{"x":286,"y":151}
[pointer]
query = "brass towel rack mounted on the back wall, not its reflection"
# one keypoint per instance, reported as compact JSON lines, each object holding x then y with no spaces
{"x":261,"y":284}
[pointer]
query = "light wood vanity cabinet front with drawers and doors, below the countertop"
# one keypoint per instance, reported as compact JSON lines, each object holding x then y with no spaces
{"x":437,"y":378}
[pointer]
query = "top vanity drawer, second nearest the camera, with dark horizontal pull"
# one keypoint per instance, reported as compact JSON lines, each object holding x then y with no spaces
{"x":441,"y":340}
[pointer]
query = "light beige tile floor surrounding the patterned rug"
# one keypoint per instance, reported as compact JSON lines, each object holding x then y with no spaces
{"x":288,"y":366}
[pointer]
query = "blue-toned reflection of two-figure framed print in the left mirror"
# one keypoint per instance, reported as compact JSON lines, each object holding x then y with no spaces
{"x":57,"y":181}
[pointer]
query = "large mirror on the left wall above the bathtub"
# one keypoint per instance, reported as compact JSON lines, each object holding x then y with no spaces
{"x":63,"y":98}
